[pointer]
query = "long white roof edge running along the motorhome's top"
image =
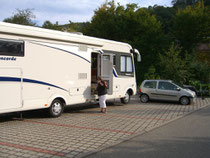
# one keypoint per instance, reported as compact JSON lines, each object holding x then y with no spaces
{"x":31,"y":31}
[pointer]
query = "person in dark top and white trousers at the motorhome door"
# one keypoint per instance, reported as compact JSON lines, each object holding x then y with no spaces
{"x":102,"y":91}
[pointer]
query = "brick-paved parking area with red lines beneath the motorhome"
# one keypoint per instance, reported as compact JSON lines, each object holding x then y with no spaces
{"x":82,"y":130}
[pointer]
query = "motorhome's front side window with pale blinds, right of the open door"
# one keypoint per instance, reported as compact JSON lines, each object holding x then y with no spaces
{"x":126,"y":65}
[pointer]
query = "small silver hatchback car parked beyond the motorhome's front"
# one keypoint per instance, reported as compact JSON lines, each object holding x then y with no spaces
{"x":165,"y":90}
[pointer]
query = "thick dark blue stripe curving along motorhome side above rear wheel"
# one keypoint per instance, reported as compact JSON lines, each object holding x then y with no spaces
{"x":15,"y":79}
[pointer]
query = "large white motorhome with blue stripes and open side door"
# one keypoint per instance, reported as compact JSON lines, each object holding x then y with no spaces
{"x":42,"y":68}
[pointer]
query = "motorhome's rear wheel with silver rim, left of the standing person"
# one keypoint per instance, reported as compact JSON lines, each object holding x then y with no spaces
{"x":56,"y":108}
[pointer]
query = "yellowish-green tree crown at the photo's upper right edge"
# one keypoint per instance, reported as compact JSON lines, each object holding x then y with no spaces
{"x":191,"y":26}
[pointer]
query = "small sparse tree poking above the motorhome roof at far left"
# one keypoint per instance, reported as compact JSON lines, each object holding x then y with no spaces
{"x":23,"y":17}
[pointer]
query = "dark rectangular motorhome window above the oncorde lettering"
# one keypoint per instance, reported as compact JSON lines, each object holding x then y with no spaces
{"x":11,"y":48}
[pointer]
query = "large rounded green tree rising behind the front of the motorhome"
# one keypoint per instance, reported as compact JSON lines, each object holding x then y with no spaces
{"x":132,"y":25}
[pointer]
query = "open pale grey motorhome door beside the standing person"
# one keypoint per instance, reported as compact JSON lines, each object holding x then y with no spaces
{"x":106,"y":70}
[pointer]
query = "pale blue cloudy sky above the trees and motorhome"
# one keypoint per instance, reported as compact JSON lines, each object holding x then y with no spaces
{"x":65,"y":10}
